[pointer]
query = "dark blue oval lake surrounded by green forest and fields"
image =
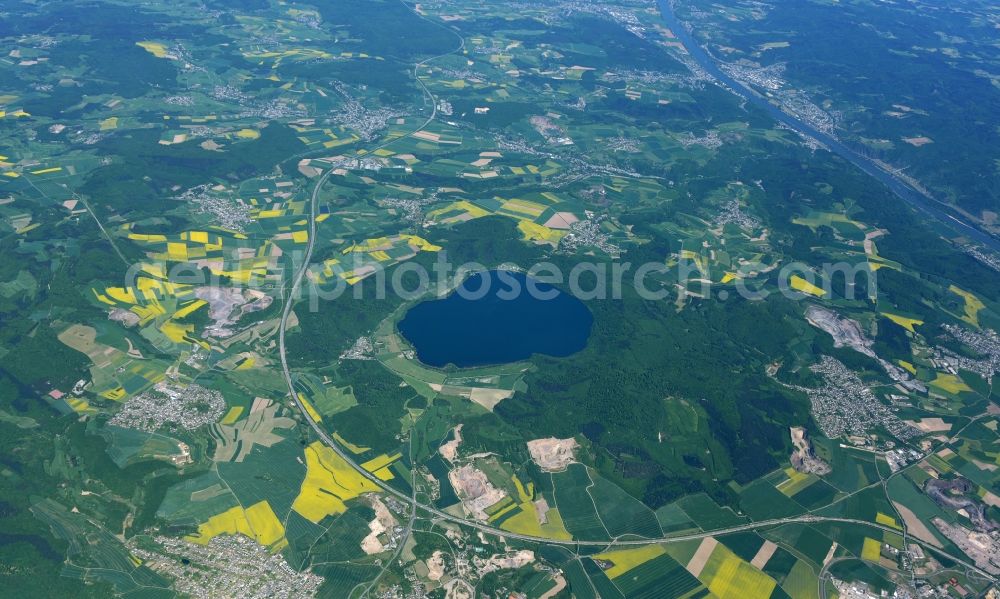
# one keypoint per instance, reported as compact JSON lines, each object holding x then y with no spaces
{"x":494,"y":318}
